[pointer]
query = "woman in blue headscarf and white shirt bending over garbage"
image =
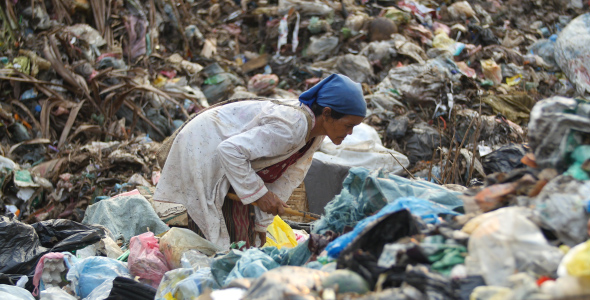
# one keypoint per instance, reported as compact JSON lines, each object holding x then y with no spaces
{"x":261,"y":149}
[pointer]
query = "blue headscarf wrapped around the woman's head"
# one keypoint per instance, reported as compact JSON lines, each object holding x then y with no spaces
{"x":339,"y":93}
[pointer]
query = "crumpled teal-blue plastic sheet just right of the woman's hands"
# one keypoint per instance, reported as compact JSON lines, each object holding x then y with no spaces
{"x":365,"y":192}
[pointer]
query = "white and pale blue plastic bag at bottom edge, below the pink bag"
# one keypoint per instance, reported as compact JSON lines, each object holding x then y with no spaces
{"x":185,"y":284}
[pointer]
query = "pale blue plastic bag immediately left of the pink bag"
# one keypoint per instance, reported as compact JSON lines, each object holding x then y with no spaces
{"x":89,"y":273}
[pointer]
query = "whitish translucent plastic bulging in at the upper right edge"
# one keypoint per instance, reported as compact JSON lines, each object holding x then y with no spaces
{"x":571,"y":52}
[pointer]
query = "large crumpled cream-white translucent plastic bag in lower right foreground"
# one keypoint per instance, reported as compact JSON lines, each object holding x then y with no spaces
{"x":504,"y":242}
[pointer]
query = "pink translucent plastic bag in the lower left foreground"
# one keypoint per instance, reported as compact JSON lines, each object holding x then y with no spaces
{"x":146,"y":260}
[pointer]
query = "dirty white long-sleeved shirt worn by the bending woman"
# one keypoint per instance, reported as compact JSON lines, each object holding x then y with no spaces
{"x":225,"y":147}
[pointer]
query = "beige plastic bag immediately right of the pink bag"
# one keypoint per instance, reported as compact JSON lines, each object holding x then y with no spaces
{"x":179,"y":240}
